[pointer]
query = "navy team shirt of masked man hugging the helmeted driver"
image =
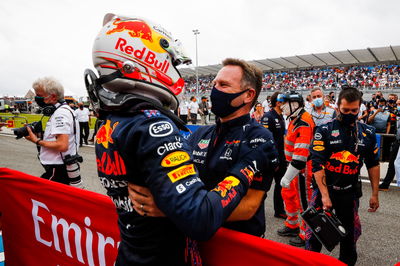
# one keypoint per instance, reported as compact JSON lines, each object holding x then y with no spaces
{"x":218,"y":148}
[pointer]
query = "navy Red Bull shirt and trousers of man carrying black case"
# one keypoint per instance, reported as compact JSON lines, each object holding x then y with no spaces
{"x":341,"y":151}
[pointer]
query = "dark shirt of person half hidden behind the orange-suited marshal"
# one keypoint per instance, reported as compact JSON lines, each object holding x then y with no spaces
{"x":275,"y":123}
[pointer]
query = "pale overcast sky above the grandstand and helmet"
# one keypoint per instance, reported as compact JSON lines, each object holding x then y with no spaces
{"x":54,"y":37}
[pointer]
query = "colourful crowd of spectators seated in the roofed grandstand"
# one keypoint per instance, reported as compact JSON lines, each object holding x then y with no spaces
{"x":369,"y":77}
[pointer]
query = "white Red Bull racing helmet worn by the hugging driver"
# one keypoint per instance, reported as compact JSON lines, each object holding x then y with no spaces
{"x":135,"y":56}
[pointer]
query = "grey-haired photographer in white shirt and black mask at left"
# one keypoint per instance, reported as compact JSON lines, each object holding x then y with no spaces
{"x":58,"y":151}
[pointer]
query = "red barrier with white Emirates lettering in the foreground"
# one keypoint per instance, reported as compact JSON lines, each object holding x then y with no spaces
{"x":47,"y":223}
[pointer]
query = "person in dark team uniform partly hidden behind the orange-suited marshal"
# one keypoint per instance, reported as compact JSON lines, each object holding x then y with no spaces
{"x":273,"y":120}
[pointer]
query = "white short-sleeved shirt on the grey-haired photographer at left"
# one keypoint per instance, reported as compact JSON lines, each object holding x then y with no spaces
{"x":60,"y":122}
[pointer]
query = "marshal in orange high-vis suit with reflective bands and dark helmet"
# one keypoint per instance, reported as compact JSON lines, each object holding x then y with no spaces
{"x":297,"y":180}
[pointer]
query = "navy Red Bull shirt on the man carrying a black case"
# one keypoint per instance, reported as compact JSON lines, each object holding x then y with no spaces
{"x":341,"y":151}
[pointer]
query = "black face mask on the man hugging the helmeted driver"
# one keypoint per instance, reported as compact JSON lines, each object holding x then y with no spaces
{"x":221,"y":102}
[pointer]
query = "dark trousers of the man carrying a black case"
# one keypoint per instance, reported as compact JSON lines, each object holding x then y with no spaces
{"x":345,"y":205}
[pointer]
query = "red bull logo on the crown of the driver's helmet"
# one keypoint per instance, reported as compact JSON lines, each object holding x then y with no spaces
{"x":135,"y":28}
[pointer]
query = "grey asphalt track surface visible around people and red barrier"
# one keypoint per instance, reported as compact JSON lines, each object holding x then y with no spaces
{"x":379,"y":243}
